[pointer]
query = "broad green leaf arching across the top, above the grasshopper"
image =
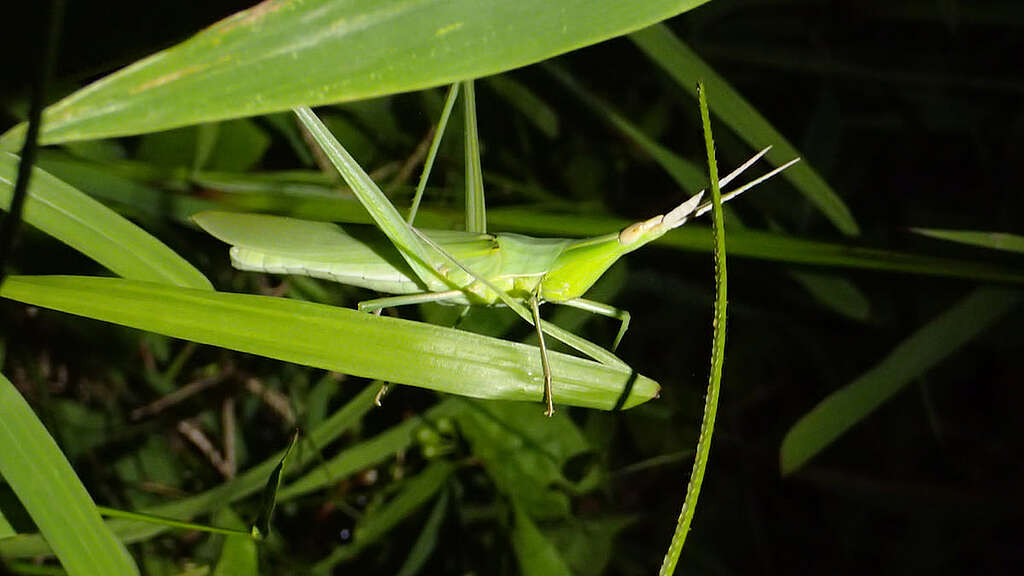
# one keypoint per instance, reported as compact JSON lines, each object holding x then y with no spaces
{"x":281,"y":55}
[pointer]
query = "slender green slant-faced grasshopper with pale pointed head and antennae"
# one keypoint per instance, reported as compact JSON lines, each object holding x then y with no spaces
{"x":471,"y":269}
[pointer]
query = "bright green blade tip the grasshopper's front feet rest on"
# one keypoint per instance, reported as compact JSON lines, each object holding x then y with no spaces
{"x":339,"y":340}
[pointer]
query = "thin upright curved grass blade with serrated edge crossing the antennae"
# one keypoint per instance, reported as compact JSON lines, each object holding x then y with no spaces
{"x":717,"y":355}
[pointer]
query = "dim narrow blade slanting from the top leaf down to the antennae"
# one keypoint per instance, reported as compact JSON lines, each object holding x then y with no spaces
{"x":689,"y":177}
